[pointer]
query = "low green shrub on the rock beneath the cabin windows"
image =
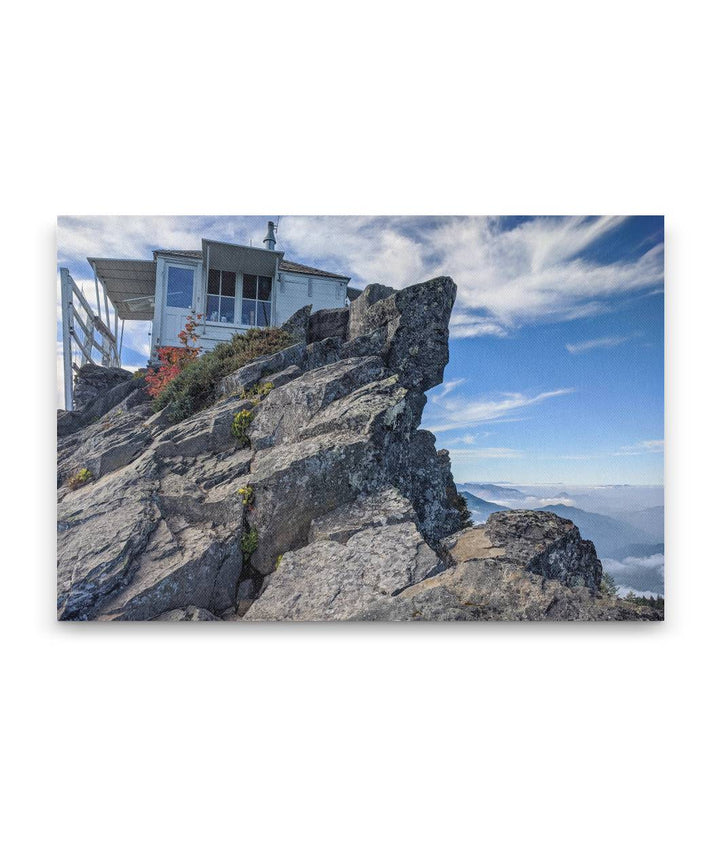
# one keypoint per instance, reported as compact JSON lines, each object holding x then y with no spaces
{"x":194,"y":388}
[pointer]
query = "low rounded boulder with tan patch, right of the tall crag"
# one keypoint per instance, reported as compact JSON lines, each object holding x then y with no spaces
{"x":521,"y":566}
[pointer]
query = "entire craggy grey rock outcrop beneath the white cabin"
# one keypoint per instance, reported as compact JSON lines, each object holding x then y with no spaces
{"x":353,"y":512}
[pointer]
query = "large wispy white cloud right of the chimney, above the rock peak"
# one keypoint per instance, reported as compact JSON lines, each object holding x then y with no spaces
{"x":505,"y":277}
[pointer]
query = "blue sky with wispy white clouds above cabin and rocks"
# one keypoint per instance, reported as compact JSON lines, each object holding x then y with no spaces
{"x":556,"y":352}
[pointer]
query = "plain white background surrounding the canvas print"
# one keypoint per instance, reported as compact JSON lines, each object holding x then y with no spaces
{"x":502,"y":739}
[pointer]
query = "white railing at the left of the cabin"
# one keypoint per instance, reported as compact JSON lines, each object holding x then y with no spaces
{"x":80,"y":326}
